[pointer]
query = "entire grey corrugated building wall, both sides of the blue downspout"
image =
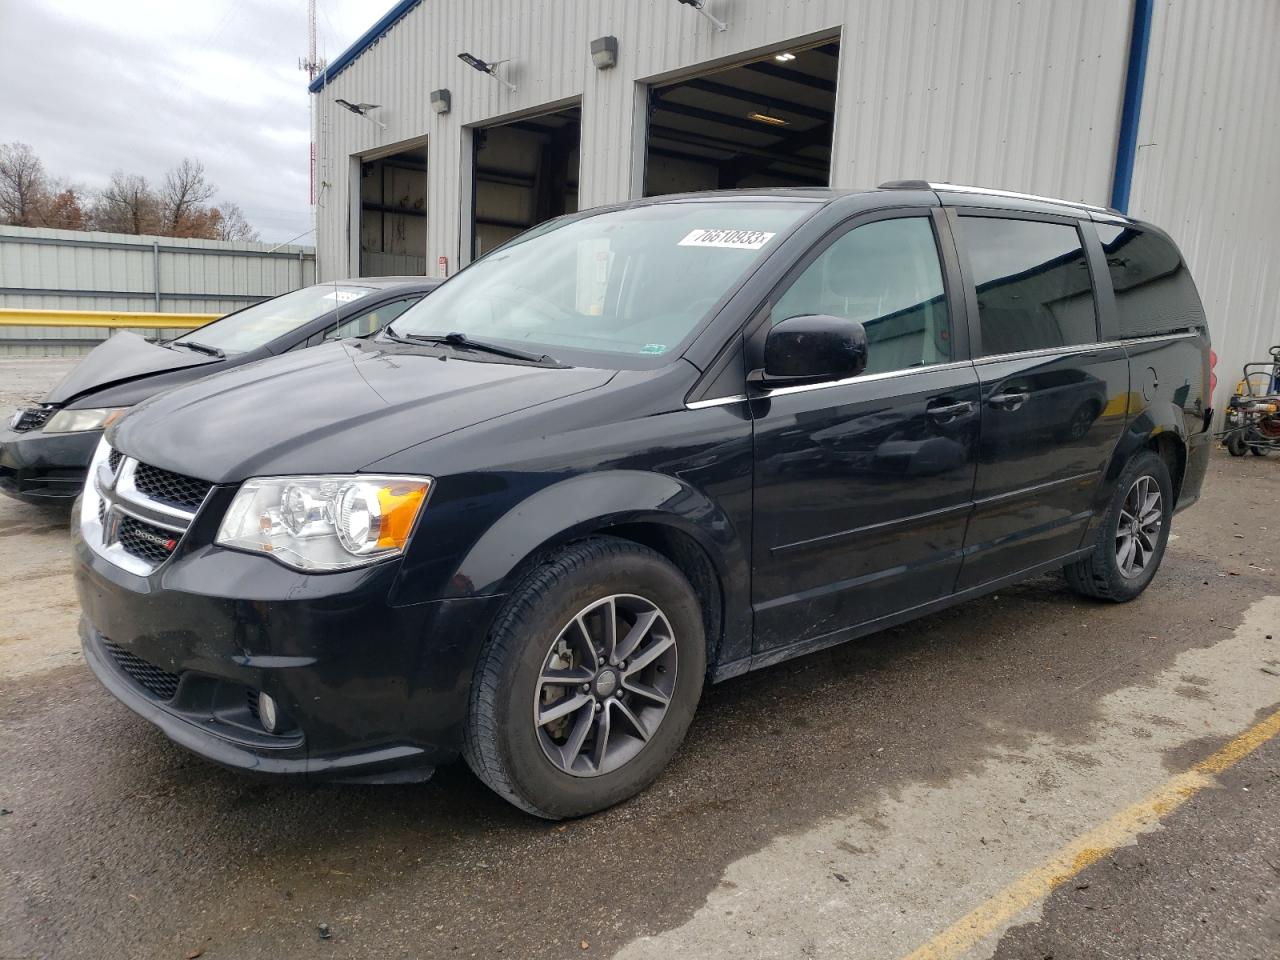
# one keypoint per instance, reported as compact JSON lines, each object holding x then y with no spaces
{"x":1011,"y":94}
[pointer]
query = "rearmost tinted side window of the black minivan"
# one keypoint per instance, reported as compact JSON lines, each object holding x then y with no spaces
{"x":1155,"y":292}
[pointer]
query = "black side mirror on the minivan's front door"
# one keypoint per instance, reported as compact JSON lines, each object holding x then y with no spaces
{"x":812,"y":349}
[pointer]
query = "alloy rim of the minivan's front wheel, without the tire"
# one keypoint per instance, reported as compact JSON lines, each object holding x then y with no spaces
{"x":606,"y":685}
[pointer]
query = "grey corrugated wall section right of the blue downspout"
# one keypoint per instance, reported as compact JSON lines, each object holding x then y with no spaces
{"x":1208,"y":167}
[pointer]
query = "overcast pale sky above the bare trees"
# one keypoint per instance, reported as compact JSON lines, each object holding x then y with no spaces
{"x":97,"y":86}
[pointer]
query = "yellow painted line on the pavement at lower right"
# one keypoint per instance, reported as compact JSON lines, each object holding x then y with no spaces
{"x":1081,"y":853}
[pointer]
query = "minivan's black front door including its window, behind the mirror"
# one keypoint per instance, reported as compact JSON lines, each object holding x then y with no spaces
{"x":863,"y":486}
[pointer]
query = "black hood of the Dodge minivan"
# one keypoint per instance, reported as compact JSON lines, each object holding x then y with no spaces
{"x":332,"y":409}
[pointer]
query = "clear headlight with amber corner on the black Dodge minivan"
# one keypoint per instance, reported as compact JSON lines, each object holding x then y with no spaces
{"x":324,"y":523}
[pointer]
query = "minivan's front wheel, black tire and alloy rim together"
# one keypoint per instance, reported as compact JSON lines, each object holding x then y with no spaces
{"x":588,"y":682}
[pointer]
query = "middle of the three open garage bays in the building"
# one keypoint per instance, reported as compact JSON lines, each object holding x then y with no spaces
{"x":525,"y":173}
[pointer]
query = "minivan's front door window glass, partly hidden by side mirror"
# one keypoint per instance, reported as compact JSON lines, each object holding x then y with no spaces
{"x":885,"y":275}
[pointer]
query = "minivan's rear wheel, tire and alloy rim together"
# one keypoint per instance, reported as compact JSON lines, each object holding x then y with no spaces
{"x":1131,"y":541}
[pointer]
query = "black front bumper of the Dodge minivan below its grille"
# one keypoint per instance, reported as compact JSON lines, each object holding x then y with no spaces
{"x":371,"y":692}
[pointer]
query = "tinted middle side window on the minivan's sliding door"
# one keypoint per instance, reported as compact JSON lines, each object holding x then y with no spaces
{"x":1034,"y":285}
